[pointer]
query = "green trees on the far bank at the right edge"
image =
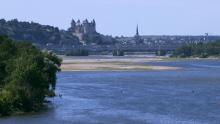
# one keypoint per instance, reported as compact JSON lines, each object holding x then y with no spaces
{"x":201,"y":50}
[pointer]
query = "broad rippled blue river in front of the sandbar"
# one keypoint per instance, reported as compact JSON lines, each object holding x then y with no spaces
{"x":187,"y":96}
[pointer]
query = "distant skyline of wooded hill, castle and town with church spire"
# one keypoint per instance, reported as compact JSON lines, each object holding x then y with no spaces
{"x":83,"y":35}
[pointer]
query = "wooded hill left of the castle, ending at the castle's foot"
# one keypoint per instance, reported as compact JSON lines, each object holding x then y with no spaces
{"x":39,"y":35}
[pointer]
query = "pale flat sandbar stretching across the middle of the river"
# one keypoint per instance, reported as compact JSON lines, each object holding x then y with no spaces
{"x":109,"y":63}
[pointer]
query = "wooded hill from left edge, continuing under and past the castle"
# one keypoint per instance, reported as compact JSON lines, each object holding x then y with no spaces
{"x":49,"y":37}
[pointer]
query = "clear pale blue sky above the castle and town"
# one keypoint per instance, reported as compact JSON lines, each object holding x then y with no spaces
{"x":120,"y":17}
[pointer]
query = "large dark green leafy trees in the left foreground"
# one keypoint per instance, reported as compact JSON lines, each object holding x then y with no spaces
{"x":27,"y":76}
